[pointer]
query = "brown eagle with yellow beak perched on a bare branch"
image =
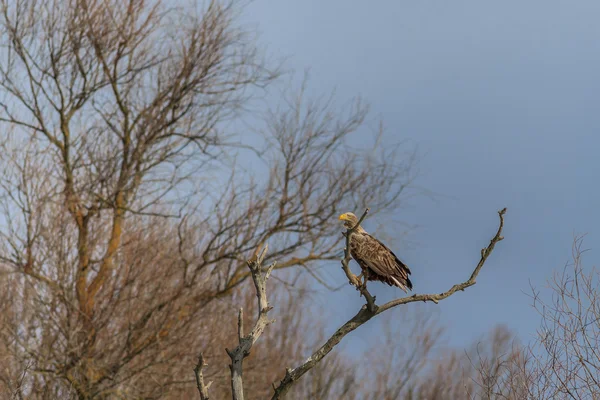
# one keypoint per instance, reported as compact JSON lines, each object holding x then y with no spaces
{"x":377,"y":261}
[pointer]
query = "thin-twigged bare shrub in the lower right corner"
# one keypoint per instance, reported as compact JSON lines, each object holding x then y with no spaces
{"x":563,"y":362}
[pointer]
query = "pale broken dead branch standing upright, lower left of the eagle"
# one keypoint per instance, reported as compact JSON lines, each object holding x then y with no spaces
{"x":237,"y":355}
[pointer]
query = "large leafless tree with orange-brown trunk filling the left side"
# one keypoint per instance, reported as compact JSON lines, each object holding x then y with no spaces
{"x":125,"y":220}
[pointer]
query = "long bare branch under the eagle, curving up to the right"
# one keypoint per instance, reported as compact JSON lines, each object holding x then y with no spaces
{"x":366,"y":313}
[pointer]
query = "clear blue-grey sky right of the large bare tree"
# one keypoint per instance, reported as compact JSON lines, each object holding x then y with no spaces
{"x":502,"y":99}
